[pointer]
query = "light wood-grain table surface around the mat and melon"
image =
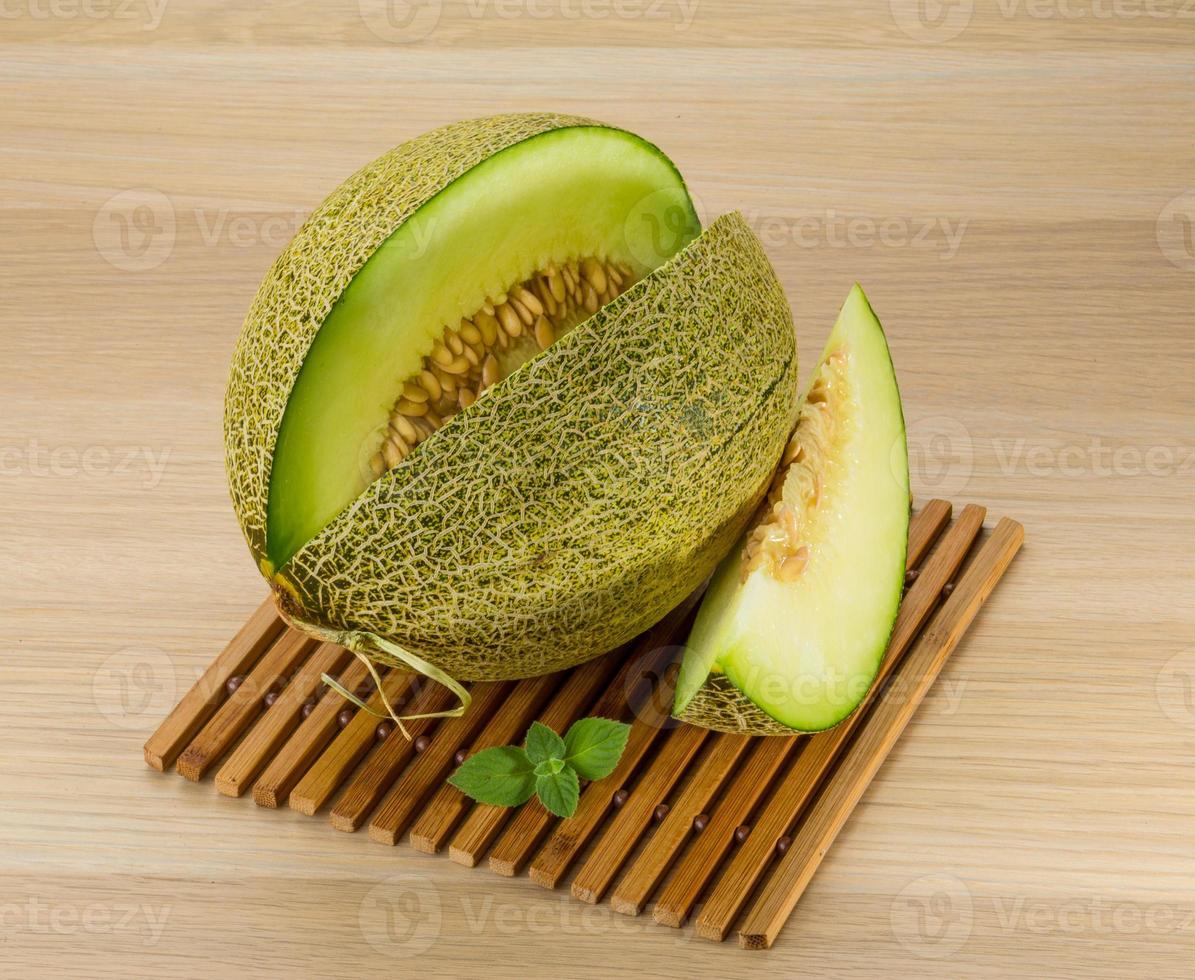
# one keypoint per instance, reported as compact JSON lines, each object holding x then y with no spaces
{"x":1013,"y":181}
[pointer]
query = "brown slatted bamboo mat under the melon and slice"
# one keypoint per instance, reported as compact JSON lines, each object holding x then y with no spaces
{"x":728,"y":828}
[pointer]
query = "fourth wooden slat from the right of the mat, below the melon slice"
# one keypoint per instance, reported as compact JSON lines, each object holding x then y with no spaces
{"x":701,"y":786}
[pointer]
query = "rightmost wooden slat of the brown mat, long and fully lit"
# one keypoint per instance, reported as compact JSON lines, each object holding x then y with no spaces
{"x":879,"y":734}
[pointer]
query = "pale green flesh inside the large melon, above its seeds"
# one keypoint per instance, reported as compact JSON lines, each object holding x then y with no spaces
{"x":568,"y":193}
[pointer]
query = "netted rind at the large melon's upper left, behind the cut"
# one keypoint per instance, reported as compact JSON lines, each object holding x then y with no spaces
{"x":314,"y":271}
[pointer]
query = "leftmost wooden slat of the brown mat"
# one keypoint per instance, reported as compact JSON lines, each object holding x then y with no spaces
{"x":209,"y":693}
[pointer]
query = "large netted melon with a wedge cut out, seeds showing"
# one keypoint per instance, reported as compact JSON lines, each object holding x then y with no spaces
{"x":502,"y":402}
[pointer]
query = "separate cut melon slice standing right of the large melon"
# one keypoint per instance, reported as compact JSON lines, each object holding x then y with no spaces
{"x":782,"y":647}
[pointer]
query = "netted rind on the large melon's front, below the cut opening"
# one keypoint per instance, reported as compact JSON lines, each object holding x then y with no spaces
{"x":586,"y":495}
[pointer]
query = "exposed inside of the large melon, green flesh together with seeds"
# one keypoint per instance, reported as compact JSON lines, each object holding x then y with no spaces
{"x":587,"y":204}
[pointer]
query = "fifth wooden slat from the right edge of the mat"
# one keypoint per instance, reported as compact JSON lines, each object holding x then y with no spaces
{"x":630,"y":823}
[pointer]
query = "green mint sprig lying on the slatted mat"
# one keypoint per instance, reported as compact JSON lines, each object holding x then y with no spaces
{"x":547,"y":765}
